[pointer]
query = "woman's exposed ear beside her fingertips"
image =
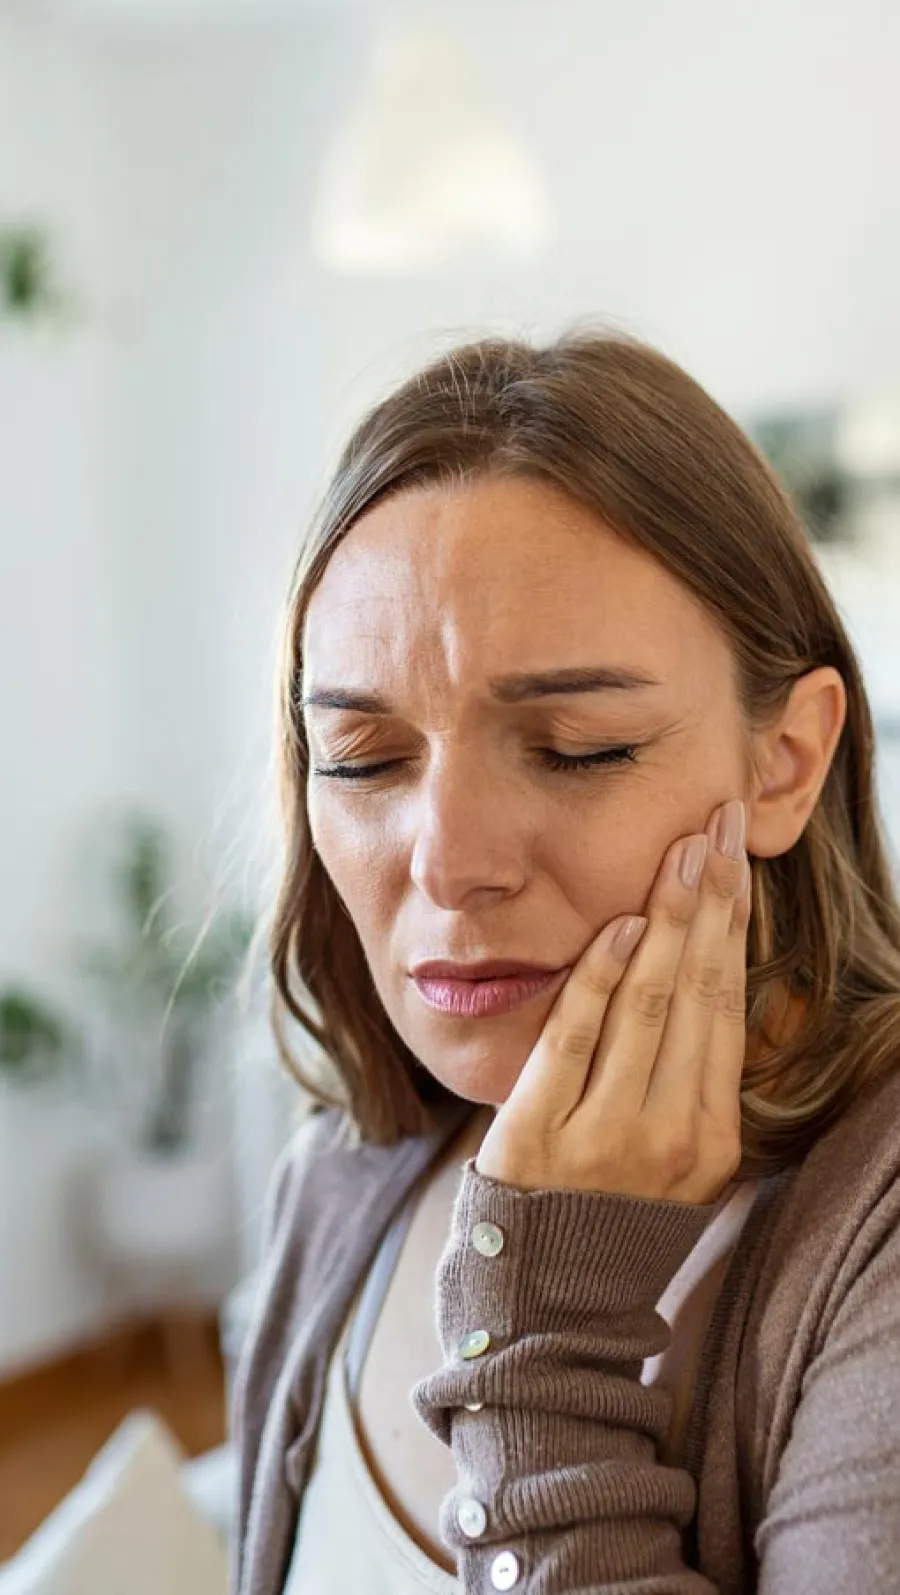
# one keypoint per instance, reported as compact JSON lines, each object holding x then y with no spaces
{"x":792,"y":758}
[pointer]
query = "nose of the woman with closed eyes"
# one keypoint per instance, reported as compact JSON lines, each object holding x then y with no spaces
{"x":468,"y":837}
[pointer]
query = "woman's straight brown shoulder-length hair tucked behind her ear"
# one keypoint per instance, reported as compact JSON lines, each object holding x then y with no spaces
{"x":631,"y":436}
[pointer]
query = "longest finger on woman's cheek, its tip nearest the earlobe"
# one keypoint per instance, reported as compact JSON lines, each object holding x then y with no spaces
{"x":677,"y":1085}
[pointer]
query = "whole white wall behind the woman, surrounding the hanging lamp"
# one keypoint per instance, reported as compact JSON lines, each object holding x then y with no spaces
{"x":725,"y":186}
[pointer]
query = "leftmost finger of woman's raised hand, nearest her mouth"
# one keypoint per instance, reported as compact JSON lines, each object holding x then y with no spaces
{"x":559,"y":1066}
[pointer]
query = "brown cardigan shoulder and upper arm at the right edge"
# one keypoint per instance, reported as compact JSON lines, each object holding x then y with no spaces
{"x":821,"y":1368}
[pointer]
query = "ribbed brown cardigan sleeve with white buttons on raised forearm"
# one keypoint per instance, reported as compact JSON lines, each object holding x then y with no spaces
{"x":559,"y":1483}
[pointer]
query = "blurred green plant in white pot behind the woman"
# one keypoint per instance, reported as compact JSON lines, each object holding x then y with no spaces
{"x":159,"y":1194}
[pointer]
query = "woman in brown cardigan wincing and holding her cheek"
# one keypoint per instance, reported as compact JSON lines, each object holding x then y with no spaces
{"x":586,"y":1275}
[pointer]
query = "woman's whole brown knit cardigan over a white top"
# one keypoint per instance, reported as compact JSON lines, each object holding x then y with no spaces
{"x":791,"y":1473}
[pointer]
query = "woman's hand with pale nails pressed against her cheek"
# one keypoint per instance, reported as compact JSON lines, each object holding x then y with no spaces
{"x":634,"y":1085}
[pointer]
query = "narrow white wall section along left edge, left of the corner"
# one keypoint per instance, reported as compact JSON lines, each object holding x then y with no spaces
{"x":63,"y":640}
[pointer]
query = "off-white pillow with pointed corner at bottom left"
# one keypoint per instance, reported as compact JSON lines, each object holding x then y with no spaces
{"x":128,"y":1527}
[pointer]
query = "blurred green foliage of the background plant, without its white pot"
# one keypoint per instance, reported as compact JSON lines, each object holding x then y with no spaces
{"x":152,"y":982}
